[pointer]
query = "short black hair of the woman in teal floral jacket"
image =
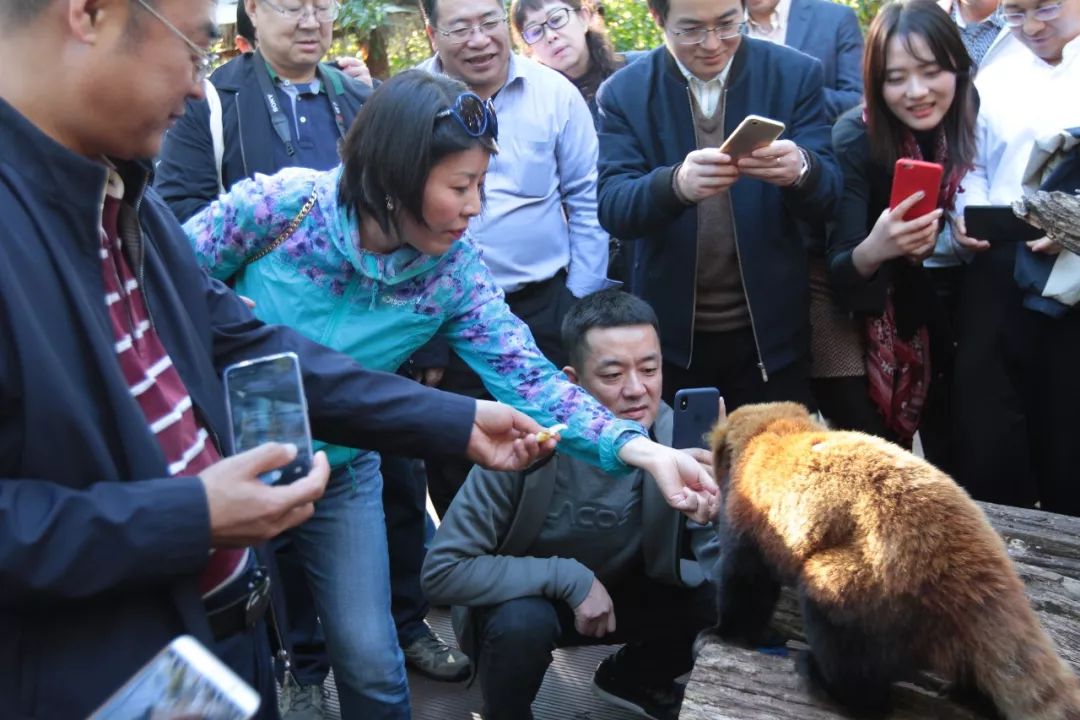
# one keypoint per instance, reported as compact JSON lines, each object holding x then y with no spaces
{"x":396,"y":141}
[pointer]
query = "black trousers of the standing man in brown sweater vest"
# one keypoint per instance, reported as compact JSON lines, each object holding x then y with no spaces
{"x":728,"y":361}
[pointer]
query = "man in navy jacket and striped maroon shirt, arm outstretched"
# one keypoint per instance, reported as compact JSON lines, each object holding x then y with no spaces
{"x":111,"y":506}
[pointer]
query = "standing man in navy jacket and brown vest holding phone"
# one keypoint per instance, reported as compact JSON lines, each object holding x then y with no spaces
{"x":720,"y":256}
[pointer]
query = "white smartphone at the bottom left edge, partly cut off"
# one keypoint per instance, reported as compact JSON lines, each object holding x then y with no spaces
{"x":185,"y":681}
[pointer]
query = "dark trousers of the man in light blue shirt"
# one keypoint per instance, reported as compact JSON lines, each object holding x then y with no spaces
{"x":541,"y":306}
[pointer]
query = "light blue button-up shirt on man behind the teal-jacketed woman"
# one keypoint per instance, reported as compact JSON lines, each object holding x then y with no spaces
{"x":547,"y":164}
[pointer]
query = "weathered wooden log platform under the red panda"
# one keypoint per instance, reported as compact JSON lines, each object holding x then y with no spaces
{"x":735,"y":684}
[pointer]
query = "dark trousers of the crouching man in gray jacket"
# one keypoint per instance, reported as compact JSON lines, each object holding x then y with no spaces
{"x":516,"y":640}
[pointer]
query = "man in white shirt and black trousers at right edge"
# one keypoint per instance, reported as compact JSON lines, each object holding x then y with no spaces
{"x":1020,"y":330}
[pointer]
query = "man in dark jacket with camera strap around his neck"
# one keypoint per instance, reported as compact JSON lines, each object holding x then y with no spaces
{"x":276,"y":108}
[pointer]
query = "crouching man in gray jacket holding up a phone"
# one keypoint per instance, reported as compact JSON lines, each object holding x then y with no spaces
{"x":551,"y":556}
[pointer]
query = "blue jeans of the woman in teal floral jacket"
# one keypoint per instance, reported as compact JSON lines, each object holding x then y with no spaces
{"x":344,"y":548}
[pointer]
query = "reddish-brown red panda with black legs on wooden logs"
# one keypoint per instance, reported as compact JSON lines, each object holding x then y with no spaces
{"x":897,"y":569}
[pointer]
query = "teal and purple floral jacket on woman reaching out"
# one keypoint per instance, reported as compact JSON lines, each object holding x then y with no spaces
{"x":380,"y":309}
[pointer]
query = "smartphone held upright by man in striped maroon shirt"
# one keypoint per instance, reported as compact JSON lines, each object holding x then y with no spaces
{"x":266,"y":403}
